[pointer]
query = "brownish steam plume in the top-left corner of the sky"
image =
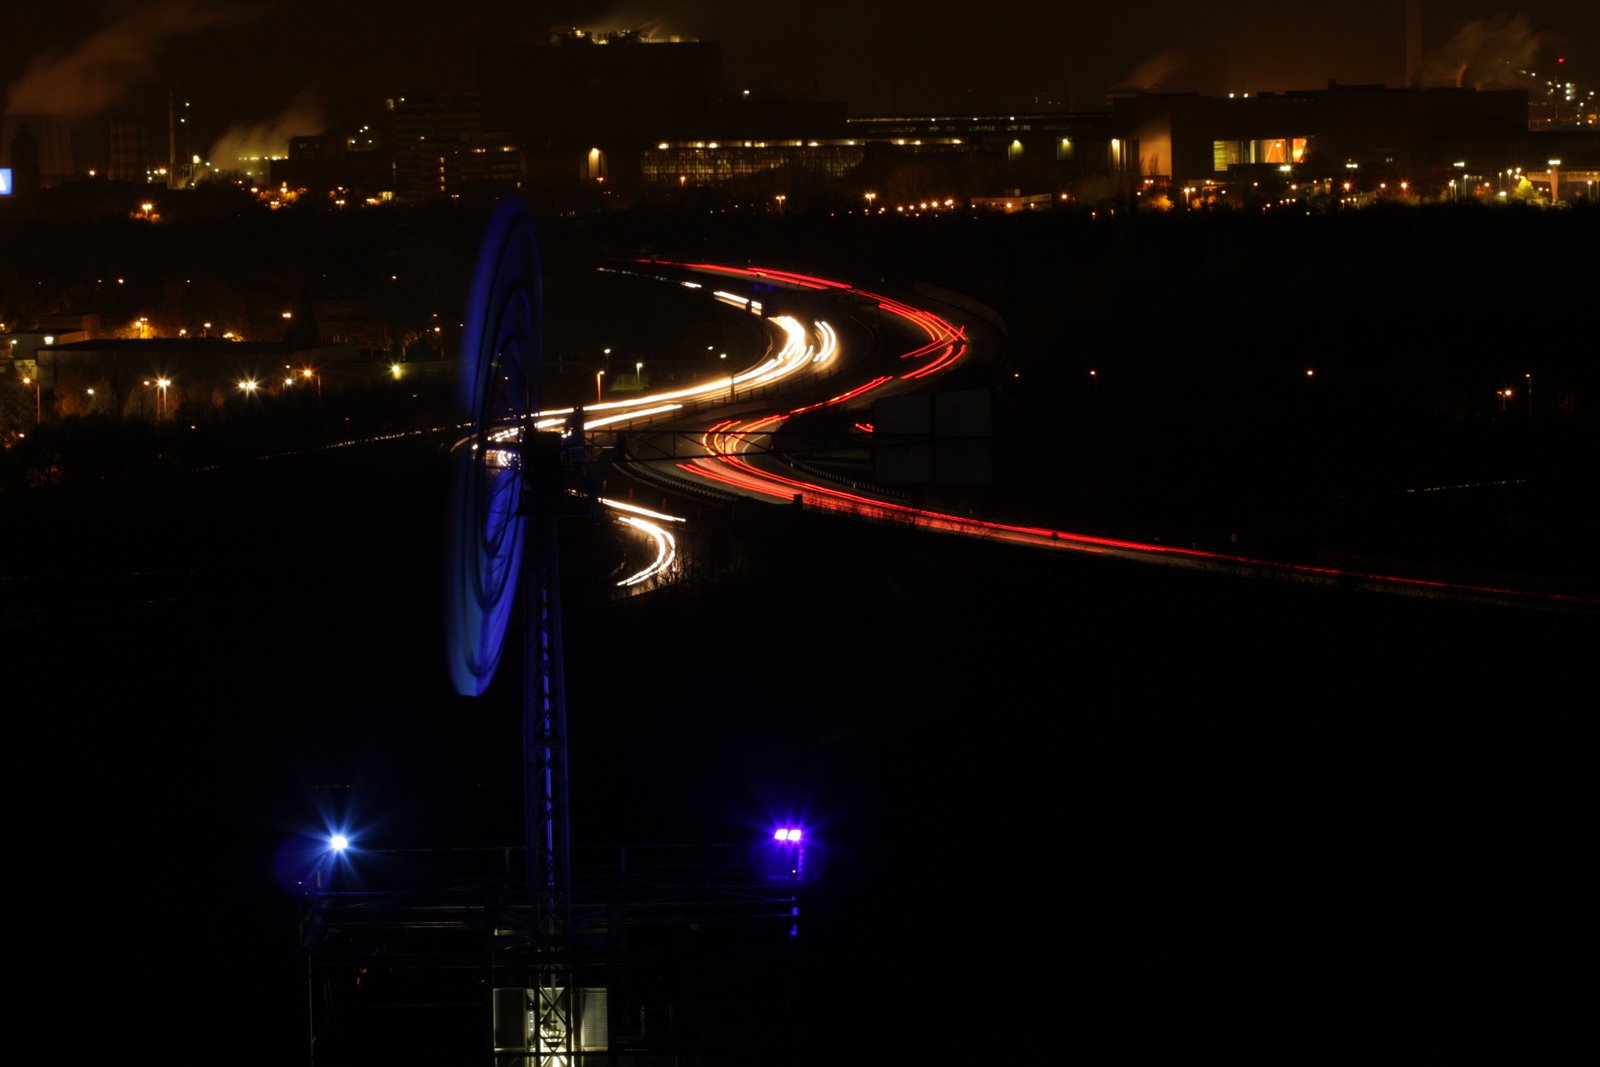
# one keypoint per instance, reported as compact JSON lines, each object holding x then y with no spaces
{"x":92,"y":76}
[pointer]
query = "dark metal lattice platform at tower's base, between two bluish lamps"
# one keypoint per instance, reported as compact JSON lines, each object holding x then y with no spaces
{"x":673,"y":951}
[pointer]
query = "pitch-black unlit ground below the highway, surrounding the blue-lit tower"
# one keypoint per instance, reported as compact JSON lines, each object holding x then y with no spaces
{"x":1070,"y":805}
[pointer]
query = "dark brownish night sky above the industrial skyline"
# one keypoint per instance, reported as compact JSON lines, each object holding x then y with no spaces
{"x":249,"y":62}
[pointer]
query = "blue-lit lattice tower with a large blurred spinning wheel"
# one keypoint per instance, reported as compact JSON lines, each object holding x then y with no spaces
{"x":503,"y":554}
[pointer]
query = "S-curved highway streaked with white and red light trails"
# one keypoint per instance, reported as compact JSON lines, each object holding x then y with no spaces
{"x":716,"y":438}
